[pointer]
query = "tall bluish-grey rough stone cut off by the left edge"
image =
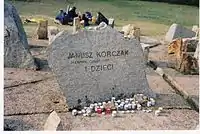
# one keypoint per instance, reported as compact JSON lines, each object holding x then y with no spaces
{"x":16,"y":49}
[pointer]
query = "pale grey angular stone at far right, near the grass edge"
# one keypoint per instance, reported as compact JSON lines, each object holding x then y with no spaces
{"x":176,"y":31}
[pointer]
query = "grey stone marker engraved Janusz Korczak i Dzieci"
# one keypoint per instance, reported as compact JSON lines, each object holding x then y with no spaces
{"x":96,"y":65}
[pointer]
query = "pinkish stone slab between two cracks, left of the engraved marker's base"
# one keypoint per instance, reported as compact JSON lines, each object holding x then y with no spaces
{"x":40,"y":97}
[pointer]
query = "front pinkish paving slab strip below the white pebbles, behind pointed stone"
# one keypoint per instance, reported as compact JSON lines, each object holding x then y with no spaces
{"x":174,"y":119}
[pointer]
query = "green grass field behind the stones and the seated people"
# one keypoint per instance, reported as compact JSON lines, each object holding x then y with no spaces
{"x":153,"y":18}
